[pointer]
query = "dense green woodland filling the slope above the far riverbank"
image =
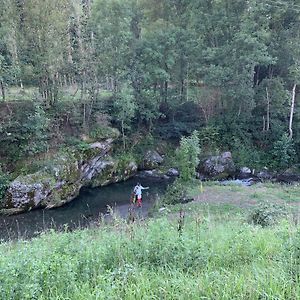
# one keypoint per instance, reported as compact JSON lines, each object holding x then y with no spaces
{"x":157,"y":70}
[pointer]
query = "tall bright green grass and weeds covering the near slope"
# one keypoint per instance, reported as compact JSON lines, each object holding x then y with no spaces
{"x":218,"y":255}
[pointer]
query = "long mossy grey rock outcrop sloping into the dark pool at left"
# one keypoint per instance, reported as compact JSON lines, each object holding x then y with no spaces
{"x":61,"y":183}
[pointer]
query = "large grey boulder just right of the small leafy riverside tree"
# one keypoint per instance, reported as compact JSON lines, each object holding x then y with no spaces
{"x":218,"y":167}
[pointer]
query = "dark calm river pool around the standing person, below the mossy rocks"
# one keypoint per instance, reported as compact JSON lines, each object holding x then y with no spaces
{"x":83,"y":211}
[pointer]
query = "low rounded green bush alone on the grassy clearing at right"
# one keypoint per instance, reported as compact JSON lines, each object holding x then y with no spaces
{"x":267,"y":214}
